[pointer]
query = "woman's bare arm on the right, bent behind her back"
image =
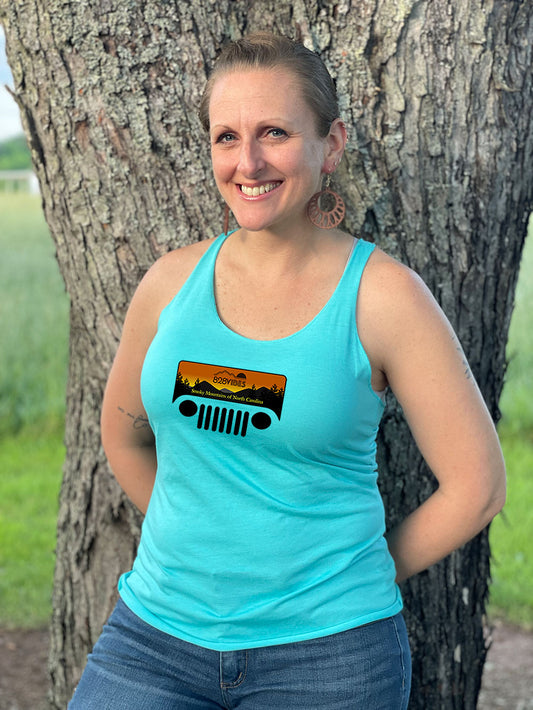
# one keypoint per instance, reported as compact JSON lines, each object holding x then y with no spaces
{"x":413,"y":348}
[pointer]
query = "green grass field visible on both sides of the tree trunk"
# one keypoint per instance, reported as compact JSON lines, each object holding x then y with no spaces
{"x":33,"y":359}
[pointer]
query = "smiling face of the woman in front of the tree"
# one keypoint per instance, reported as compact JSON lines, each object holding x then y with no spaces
{"x":266,"y":152}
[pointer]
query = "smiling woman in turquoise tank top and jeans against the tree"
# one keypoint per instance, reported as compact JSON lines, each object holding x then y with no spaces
{"x":251,"y":374}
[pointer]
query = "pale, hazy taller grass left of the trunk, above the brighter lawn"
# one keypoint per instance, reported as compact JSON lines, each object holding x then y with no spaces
{"x":33,"y":318}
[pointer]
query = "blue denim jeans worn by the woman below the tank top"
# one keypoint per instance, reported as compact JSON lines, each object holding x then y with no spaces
{"x":136,"y":667}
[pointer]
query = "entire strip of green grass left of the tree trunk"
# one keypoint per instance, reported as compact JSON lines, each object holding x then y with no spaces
{"x":33,"y":362}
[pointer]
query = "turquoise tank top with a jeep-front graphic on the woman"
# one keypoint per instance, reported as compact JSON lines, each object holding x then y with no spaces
{"x":265,"y":525}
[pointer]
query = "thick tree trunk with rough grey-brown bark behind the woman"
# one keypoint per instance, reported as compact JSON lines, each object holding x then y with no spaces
{"x":438,"y":98}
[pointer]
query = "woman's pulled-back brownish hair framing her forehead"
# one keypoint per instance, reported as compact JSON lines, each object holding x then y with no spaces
{"x":263,"y":50}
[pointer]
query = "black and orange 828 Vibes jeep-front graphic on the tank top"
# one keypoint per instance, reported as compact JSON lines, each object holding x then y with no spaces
{"x":231,"y":387}
